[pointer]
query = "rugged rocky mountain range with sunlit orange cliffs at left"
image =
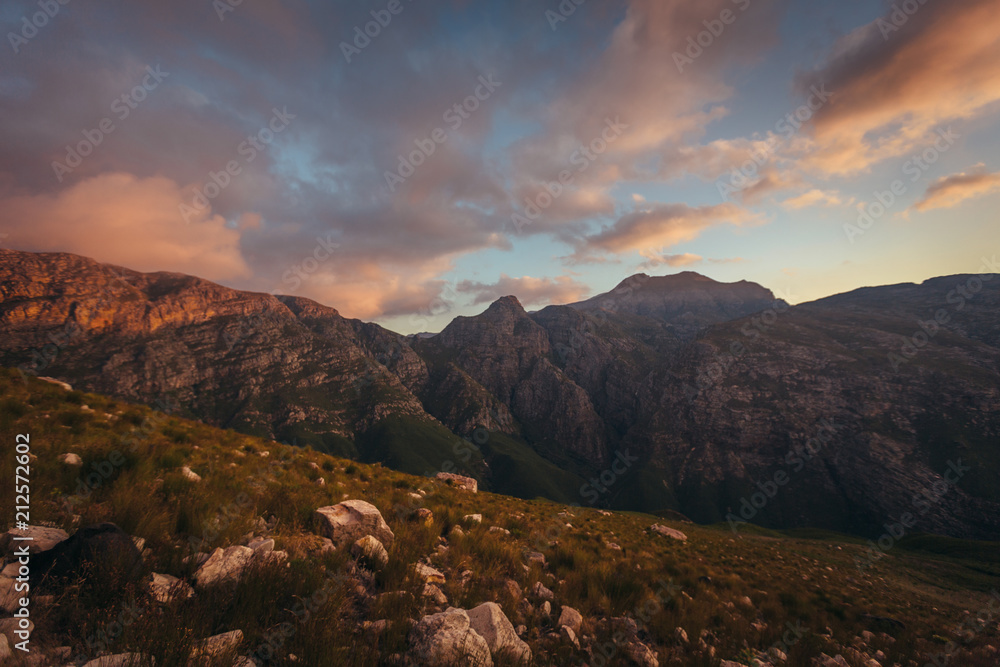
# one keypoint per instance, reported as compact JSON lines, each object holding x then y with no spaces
{"x":860,"y":404}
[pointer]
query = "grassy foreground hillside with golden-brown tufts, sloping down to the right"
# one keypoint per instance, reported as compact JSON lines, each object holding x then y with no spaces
{"x":733,"y":595}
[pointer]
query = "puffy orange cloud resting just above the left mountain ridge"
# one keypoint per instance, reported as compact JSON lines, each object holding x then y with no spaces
{"x":120,"y":219}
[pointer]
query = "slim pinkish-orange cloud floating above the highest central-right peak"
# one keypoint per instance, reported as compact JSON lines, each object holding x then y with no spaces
{"x":650,"y":229}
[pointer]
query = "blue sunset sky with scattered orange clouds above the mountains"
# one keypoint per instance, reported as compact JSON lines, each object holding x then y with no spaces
{"x":406,"y":162}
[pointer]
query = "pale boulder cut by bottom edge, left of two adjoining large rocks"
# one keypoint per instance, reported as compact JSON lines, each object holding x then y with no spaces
{"x":446,"y":639}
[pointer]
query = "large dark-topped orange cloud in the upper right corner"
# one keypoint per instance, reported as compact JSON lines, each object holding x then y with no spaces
{"x":896,"y":80}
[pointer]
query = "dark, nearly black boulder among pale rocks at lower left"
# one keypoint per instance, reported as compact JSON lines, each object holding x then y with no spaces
{"x":98,"y":551}
